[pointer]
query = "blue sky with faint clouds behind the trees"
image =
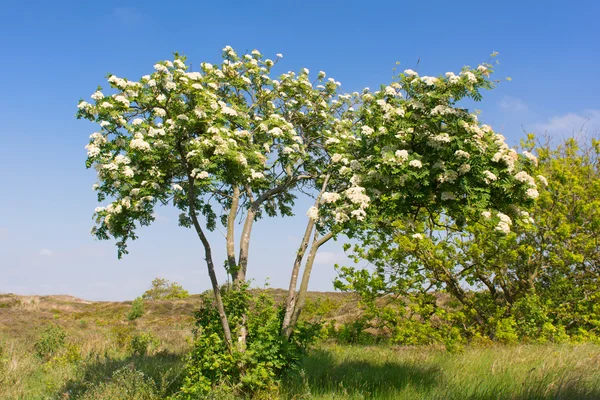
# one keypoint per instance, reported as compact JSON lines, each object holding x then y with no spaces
{"x":55,"y":53}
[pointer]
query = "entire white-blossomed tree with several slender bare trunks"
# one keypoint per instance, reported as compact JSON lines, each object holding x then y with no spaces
{"x":230,"y":141}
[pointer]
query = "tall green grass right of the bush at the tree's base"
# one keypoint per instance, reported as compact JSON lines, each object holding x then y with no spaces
{"x":499,"y":372}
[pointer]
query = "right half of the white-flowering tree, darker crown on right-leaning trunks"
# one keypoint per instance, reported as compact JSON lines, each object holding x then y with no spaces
{"x":414,"y":156}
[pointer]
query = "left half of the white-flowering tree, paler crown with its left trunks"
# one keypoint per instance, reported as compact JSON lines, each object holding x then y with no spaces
{"x":225,"y":141}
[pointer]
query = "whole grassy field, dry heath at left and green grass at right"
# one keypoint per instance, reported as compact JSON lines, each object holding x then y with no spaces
{"x":105,"y":356}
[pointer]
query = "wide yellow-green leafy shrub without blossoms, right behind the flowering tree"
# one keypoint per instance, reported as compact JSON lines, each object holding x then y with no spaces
{"x":543,"y":273}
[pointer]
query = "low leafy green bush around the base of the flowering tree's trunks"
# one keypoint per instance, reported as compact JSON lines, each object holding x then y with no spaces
{"x":251,"y":368}
